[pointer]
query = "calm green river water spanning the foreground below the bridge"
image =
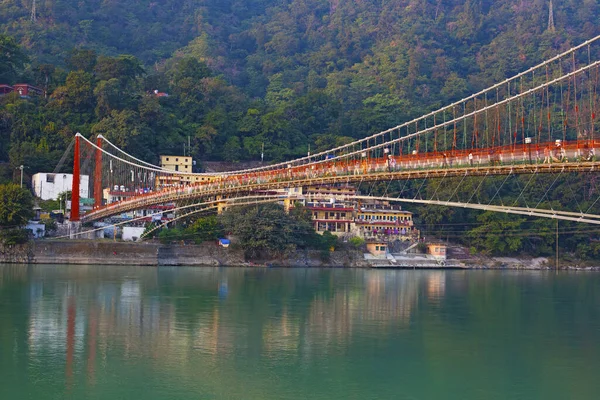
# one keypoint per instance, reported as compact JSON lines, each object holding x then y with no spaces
{"x":105,"y":332}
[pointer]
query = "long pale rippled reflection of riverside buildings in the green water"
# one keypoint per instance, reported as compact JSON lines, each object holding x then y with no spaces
{"x":119,"y":316}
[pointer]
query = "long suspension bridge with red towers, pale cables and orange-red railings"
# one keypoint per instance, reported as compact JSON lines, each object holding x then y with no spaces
{"x":541,"y":121}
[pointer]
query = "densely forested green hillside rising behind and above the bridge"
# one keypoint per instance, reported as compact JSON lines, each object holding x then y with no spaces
{"x":239,"y":73}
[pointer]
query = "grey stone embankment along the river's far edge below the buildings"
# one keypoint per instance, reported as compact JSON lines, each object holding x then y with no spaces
{"x":107,"y":252}
